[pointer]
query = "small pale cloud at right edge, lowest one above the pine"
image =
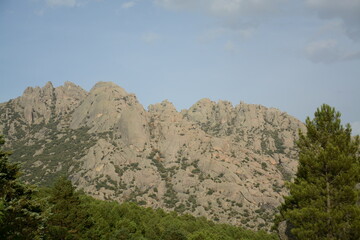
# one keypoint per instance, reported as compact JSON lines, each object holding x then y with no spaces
{"x":328,"y":51}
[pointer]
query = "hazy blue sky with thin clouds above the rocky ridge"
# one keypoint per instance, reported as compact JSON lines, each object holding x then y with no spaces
{"x":293,"y":55}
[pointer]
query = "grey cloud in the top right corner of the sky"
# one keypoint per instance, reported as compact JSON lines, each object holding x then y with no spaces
{"x":346,"y":10}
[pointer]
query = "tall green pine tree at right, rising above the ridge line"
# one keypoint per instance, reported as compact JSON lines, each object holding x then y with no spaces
{"x":323,"y":197}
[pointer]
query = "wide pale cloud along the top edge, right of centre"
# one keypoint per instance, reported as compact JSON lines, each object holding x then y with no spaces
{"x":235,"y":19}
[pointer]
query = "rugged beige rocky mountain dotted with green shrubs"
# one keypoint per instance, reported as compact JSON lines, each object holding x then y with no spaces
{"x":227,"y":163}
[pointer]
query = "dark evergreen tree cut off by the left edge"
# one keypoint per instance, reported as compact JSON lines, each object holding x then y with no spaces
{"x":20,"y":216}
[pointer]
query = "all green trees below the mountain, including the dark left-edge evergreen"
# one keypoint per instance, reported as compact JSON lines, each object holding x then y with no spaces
{"x":61,"y":212}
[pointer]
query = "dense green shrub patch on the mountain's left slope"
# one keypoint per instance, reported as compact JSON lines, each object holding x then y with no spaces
{"x":51,"y":156}
